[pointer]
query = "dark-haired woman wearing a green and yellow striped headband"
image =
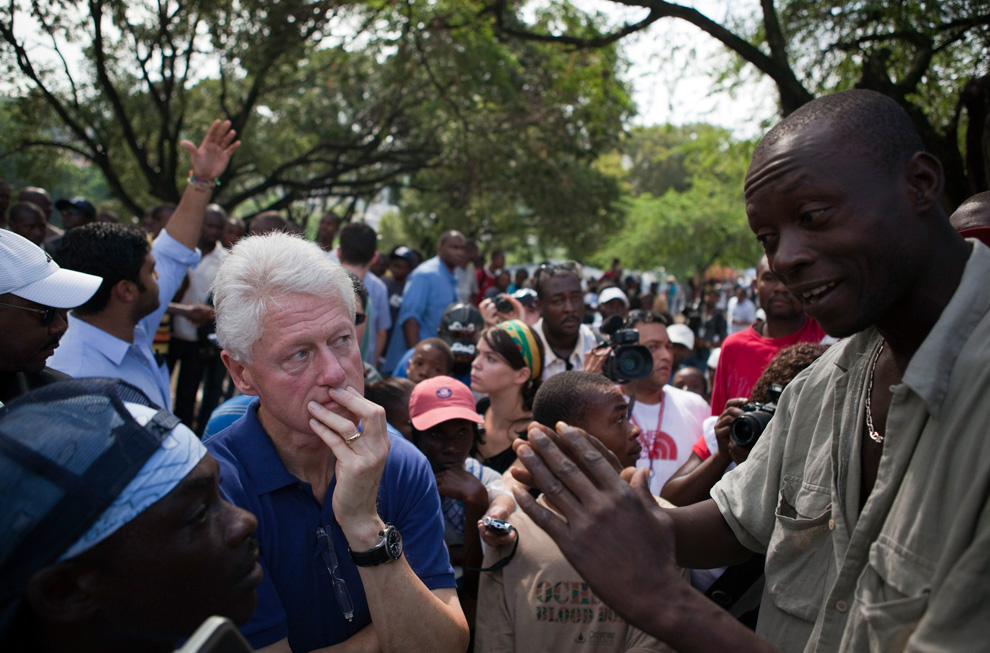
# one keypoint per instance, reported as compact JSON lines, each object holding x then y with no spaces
{"x":507,"y":367}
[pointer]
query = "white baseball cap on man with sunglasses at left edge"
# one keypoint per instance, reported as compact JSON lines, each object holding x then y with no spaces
{"x":29,"y":272}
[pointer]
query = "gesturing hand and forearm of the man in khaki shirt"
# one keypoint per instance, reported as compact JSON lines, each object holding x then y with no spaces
{"x":633,"y":569}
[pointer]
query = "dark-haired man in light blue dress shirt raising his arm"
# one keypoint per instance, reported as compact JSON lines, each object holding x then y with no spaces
{"x":111,"y":334}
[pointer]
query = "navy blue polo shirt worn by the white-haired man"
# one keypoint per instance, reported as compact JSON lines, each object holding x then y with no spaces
{"x":296,"y":598}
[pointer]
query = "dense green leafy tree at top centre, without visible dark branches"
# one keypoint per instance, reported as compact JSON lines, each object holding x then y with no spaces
{"x":525,"y":123}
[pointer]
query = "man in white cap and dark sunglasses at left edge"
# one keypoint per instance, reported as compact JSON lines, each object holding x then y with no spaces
{"x":35,"y":294}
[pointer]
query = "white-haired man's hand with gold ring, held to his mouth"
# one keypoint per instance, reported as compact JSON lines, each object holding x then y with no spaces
{"x":360,"y":458}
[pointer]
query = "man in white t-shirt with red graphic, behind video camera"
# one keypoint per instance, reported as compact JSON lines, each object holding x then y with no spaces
{"x":670,"y":419}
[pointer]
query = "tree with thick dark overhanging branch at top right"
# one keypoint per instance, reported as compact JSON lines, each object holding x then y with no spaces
{"x":930,"y":57}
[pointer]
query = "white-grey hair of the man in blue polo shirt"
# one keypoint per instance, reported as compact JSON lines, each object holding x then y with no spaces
{"x":258,"y":272}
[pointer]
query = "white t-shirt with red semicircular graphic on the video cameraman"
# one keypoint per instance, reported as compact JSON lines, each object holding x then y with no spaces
{"x":664,"y":451}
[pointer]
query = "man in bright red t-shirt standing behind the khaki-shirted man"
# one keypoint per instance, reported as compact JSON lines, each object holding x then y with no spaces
{"x":746,"y":354}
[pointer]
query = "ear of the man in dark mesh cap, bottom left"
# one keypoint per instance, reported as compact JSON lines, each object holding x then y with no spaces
{"x":63,"y":593}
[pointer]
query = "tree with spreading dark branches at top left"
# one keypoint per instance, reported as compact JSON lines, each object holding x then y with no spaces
{"x":146,"y":65}
